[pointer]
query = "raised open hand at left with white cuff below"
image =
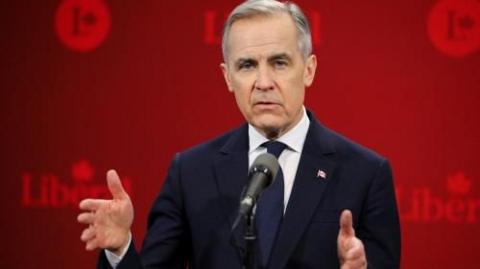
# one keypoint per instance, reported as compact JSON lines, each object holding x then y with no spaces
{"x":108,"y":221}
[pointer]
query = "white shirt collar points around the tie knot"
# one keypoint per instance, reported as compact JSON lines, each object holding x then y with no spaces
{"x":294,"y":139}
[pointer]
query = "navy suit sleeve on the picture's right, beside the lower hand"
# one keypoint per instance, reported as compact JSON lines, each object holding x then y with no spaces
{"x":379,"y":226}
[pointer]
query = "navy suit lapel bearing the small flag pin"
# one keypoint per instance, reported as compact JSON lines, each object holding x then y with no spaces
{"x":307,"y":192}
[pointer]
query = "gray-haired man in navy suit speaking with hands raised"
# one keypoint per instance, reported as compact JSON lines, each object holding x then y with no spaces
{"x":325,"y":178}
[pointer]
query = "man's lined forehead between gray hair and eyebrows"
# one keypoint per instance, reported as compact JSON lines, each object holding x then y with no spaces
{"x":262,"y":35}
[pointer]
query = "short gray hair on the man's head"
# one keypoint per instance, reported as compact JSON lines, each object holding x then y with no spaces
{"x":253,"y":8}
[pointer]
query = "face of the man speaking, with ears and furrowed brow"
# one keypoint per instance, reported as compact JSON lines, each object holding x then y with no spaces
{"x":267,"y":73}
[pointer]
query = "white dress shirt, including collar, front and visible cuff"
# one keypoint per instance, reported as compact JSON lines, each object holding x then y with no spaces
{"x":288,"y":160}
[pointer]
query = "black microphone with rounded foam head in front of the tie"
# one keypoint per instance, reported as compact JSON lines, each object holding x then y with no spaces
{"x":261,"y":175}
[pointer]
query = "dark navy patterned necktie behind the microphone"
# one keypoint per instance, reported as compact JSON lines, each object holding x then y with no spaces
{"x":269,"y":212}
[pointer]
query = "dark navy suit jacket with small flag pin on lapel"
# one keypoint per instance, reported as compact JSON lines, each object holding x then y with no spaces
{"x":190,"y":221}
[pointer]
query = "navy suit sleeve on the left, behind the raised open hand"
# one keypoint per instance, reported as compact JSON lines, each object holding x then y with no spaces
{"x":166,"y":242}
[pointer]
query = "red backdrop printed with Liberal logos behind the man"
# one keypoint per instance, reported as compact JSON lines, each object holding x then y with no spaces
{"x":88,"y":85}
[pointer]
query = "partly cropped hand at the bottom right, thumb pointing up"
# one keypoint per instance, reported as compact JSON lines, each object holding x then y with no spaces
{"x":349,"y":248}
